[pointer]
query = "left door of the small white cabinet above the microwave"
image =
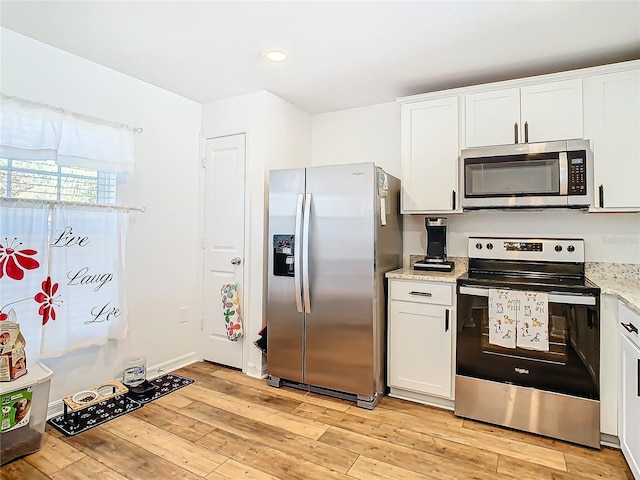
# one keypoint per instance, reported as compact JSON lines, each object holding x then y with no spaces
{"x":490,"y":117}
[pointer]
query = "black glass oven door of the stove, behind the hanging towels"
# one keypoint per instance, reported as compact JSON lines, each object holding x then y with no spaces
{"x":571,"y":365}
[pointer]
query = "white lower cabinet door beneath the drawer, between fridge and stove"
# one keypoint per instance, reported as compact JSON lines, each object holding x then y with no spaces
{"x":420,"y":348}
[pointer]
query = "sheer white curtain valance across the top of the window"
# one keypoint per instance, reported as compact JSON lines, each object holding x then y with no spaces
{"x":33,"y":131}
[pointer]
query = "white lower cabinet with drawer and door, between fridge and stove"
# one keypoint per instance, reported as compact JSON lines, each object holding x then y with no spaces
{"x":420,"y":341}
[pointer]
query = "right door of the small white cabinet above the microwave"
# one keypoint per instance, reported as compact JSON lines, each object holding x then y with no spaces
{"x":552,"y":111}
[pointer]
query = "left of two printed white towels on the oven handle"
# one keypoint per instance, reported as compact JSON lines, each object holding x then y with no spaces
{"x":503,"y":309}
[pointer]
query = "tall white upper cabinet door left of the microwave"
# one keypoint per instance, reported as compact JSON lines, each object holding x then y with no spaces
{"x":429,"y":155}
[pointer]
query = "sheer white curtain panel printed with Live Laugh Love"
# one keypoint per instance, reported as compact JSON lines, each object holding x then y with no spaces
{"x":86,"y":279}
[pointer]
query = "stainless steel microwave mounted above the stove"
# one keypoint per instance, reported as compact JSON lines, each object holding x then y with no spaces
{"x":527,"y":175}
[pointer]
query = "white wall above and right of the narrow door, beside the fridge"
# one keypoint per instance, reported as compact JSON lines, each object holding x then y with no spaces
{"x":278,"y":136}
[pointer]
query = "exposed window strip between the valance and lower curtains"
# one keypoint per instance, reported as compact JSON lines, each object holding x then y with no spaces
{"x":44,"y":180}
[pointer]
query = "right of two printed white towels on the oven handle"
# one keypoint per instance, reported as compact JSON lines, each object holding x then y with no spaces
{"x":533,"y":321}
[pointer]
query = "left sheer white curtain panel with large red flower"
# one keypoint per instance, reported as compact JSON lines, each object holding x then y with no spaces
{"x":23,"y":268}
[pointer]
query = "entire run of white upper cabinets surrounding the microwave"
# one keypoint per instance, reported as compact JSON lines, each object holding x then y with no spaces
{"x":600,"y":104}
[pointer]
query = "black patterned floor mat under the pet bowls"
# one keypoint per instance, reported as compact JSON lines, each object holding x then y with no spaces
{"x":111,"y":408}
